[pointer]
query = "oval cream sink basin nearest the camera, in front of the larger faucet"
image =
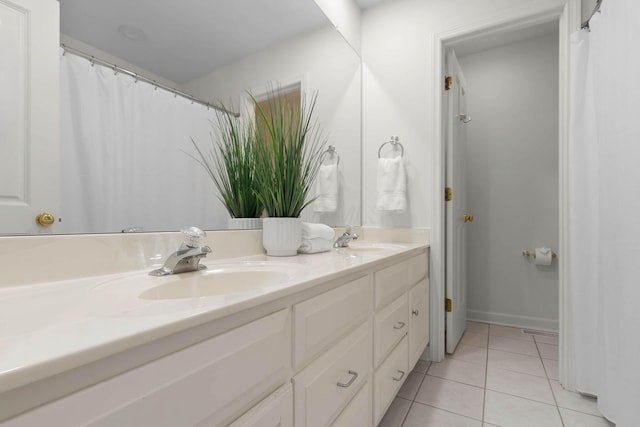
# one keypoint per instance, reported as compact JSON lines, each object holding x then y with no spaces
{"x":215,"y":282}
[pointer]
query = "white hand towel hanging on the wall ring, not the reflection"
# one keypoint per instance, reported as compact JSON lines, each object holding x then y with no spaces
{"x":392,"y":185}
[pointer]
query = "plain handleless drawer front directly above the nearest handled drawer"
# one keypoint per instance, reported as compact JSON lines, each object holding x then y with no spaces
{"x":319,"y":321}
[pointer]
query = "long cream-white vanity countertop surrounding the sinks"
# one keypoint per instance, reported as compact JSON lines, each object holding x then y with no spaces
{"x":53,"y":327}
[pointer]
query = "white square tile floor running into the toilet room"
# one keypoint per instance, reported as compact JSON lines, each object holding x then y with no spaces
{"x":498,"y":376}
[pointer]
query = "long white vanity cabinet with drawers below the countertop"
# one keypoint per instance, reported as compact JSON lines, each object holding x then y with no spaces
{"x":333,"y":354}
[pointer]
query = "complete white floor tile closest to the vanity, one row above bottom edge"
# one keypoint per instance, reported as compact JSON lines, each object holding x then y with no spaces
{"x":451,"y":396}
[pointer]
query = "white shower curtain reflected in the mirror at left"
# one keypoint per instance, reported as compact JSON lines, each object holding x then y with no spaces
{"x":122,"y":164}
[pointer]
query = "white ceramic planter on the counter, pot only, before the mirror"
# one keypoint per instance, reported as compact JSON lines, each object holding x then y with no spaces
{"x":281,"y":236}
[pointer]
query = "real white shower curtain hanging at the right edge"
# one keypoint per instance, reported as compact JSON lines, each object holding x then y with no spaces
{"x":605,"y":205}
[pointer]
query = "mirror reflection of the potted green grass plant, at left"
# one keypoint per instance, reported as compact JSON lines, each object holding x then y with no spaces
{"x":230,"y":162}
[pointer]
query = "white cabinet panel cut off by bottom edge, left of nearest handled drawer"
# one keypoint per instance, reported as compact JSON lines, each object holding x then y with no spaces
{"x":274,"y":411}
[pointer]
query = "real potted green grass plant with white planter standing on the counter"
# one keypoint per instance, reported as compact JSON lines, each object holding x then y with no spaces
{"x":289,"y":149}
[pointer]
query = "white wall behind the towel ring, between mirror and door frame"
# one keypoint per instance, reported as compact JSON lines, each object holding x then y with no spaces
{"x":397,"y":50}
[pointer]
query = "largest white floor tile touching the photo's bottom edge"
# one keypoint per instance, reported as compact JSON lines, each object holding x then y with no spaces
{"x":507,"y":411}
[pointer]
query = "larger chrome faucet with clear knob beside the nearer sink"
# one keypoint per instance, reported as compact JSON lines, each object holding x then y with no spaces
{"x":188,"y":255}
